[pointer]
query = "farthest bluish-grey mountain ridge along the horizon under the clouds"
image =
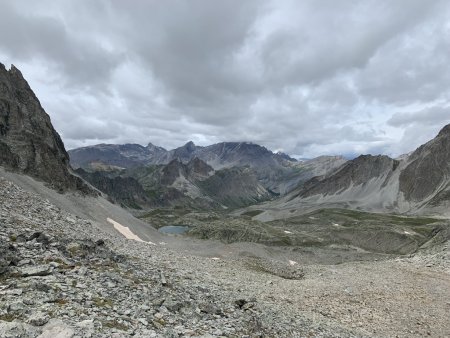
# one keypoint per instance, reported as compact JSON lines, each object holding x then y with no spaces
{"x":277,"y":172}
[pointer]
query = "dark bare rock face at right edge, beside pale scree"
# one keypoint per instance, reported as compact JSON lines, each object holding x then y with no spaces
{"x":429,"y":169}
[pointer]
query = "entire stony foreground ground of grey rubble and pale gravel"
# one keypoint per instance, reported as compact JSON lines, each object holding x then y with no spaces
{"x":60,"y":276}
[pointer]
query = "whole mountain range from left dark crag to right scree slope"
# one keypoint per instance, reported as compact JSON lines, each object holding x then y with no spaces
{"x":223,"y":175}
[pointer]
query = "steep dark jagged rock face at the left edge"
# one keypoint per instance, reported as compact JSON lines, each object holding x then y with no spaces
{"x":28,"y":142}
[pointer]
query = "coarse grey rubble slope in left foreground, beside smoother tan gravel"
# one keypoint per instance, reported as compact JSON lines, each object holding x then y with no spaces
{"x":61,"y":277}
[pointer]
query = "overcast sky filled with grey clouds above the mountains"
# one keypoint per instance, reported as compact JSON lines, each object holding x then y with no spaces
{"x":306,"y":77}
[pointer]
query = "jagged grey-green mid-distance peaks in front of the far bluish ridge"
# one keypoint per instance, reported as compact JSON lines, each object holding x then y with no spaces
{"x":196,"y":184}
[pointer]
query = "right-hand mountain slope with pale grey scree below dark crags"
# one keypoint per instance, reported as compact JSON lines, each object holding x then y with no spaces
{"x":418,"y":183}
